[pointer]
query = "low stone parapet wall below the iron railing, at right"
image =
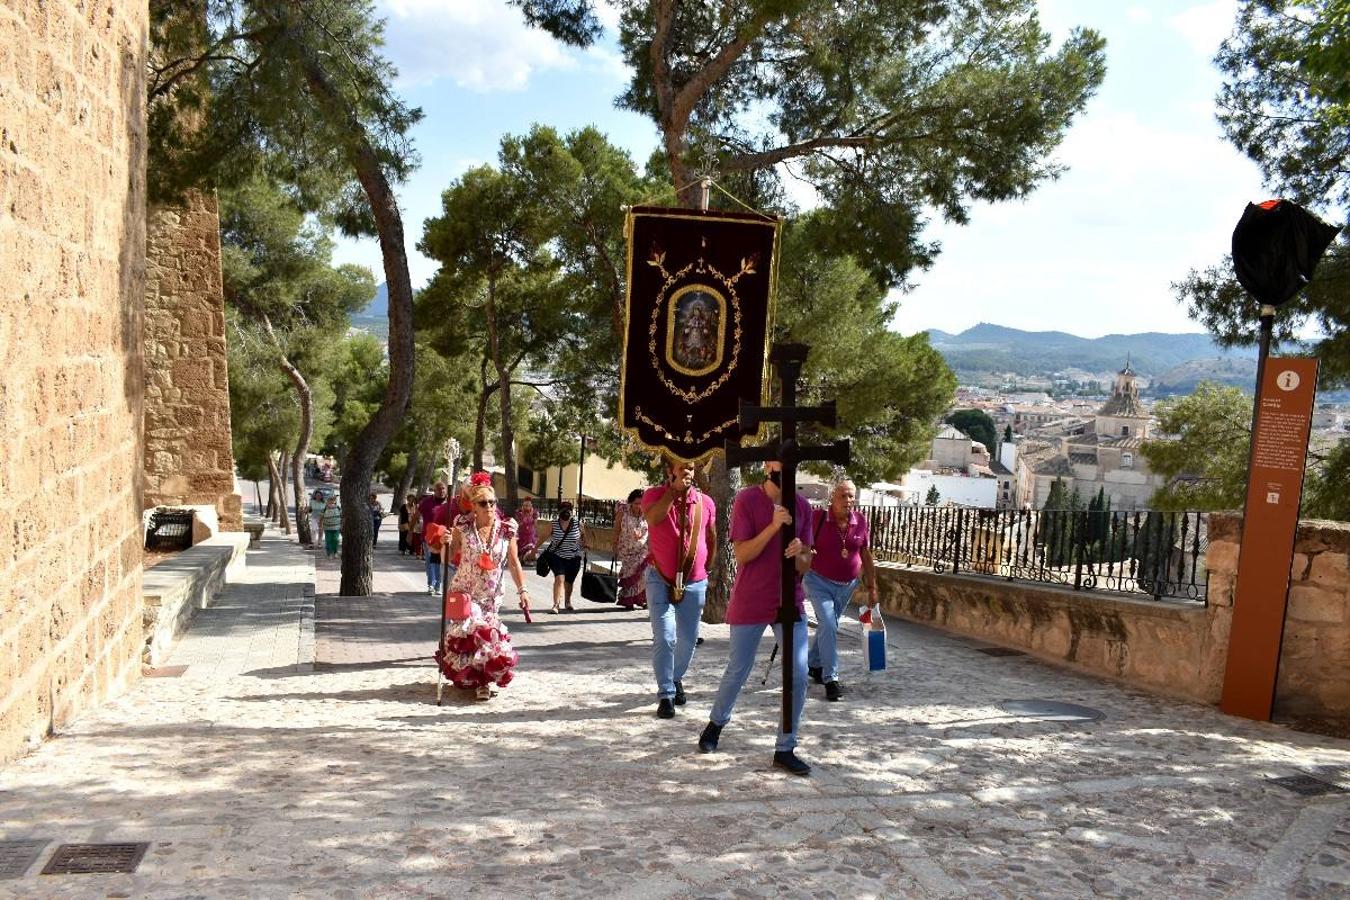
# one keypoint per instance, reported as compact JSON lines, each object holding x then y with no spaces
{"x":1172,"y":648}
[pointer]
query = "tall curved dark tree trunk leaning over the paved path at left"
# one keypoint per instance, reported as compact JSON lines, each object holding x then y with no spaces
{"x":360,"y":465}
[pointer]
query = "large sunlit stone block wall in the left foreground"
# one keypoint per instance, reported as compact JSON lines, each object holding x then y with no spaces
{"x":72,"y":268}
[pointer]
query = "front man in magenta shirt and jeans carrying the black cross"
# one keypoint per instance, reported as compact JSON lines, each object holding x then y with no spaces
{"x":758,"y":520}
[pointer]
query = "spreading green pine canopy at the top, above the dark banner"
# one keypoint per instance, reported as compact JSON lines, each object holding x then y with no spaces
{"x":889,"y":107}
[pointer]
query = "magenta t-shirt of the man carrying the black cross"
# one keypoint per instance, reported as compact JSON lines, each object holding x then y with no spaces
{"x":757,"y":596}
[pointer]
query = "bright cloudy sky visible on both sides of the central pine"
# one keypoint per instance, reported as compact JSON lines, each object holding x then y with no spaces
{"x":1152,"y":190}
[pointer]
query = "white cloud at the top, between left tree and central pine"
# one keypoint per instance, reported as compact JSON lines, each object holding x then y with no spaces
{"x":480,"y":45}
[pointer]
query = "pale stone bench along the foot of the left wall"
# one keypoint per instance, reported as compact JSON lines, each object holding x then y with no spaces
{"x":180,"y":586}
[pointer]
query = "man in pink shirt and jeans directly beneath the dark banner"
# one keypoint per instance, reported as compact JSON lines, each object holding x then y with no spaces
{"x":681,"y":538}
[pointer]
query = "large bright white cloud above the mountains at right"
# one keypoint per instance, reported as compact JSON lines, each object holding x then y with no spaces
{"x":1098,"y":250}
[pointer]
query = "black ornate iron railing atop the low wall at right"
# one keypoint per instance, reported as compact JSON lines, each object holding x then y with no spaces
{"x":1160,"y":555}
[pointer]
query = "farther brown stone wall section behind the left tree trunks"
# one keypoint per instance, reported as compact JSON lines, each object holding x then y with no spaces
{"x":190,"y":459}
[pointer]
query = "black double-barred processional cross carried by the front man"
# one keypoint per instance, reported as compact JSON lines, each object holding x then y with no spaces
{"x":789,"y":360}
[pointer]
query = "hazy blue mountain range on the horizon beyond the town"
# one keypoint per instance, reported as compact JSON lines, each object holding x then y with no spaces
{"x":996,"y":349}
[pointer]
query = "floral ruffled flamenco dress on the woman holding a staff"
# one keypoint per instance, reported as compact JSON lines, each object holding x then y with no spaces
{"x":477,"y":652}
